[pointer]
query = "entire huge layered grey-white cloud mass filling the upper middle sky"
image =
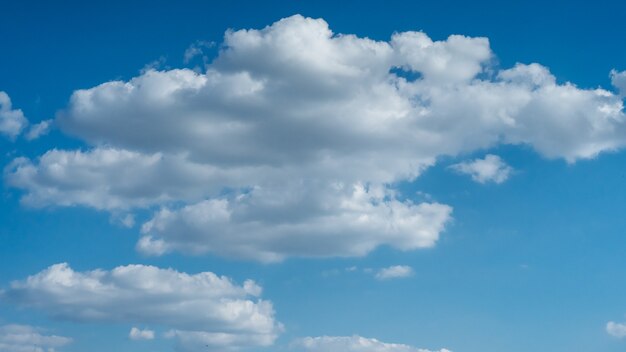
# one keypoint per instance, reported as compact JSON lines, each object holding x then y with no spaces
{"x":289,"y":141}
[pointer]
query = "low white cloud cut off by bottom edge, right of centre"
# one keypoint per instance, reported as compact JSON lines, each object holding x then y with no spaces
{"x":353,"y":344}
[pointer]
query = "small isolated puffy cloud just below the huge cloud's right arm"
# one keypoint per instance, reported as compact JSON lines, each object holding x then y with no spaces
{"x":490,"y":169}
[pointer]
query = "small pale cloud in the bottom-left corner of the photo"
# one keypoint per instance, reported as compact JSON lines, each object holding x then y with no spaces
{"x":24,"y":338}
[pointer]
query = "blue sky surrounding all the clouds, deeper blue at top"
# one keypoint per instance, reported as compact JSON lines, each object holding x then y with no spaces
{"x":535,"y":263}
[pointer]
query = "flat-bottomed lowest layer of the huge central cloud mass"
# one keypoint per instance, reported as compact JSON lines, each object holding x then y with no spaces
{"x":349,"y":221}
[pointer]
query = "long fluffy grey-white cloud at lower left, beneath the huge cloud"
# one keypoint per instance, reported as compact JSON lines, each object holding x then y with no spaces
{"x":136,"y":294}
